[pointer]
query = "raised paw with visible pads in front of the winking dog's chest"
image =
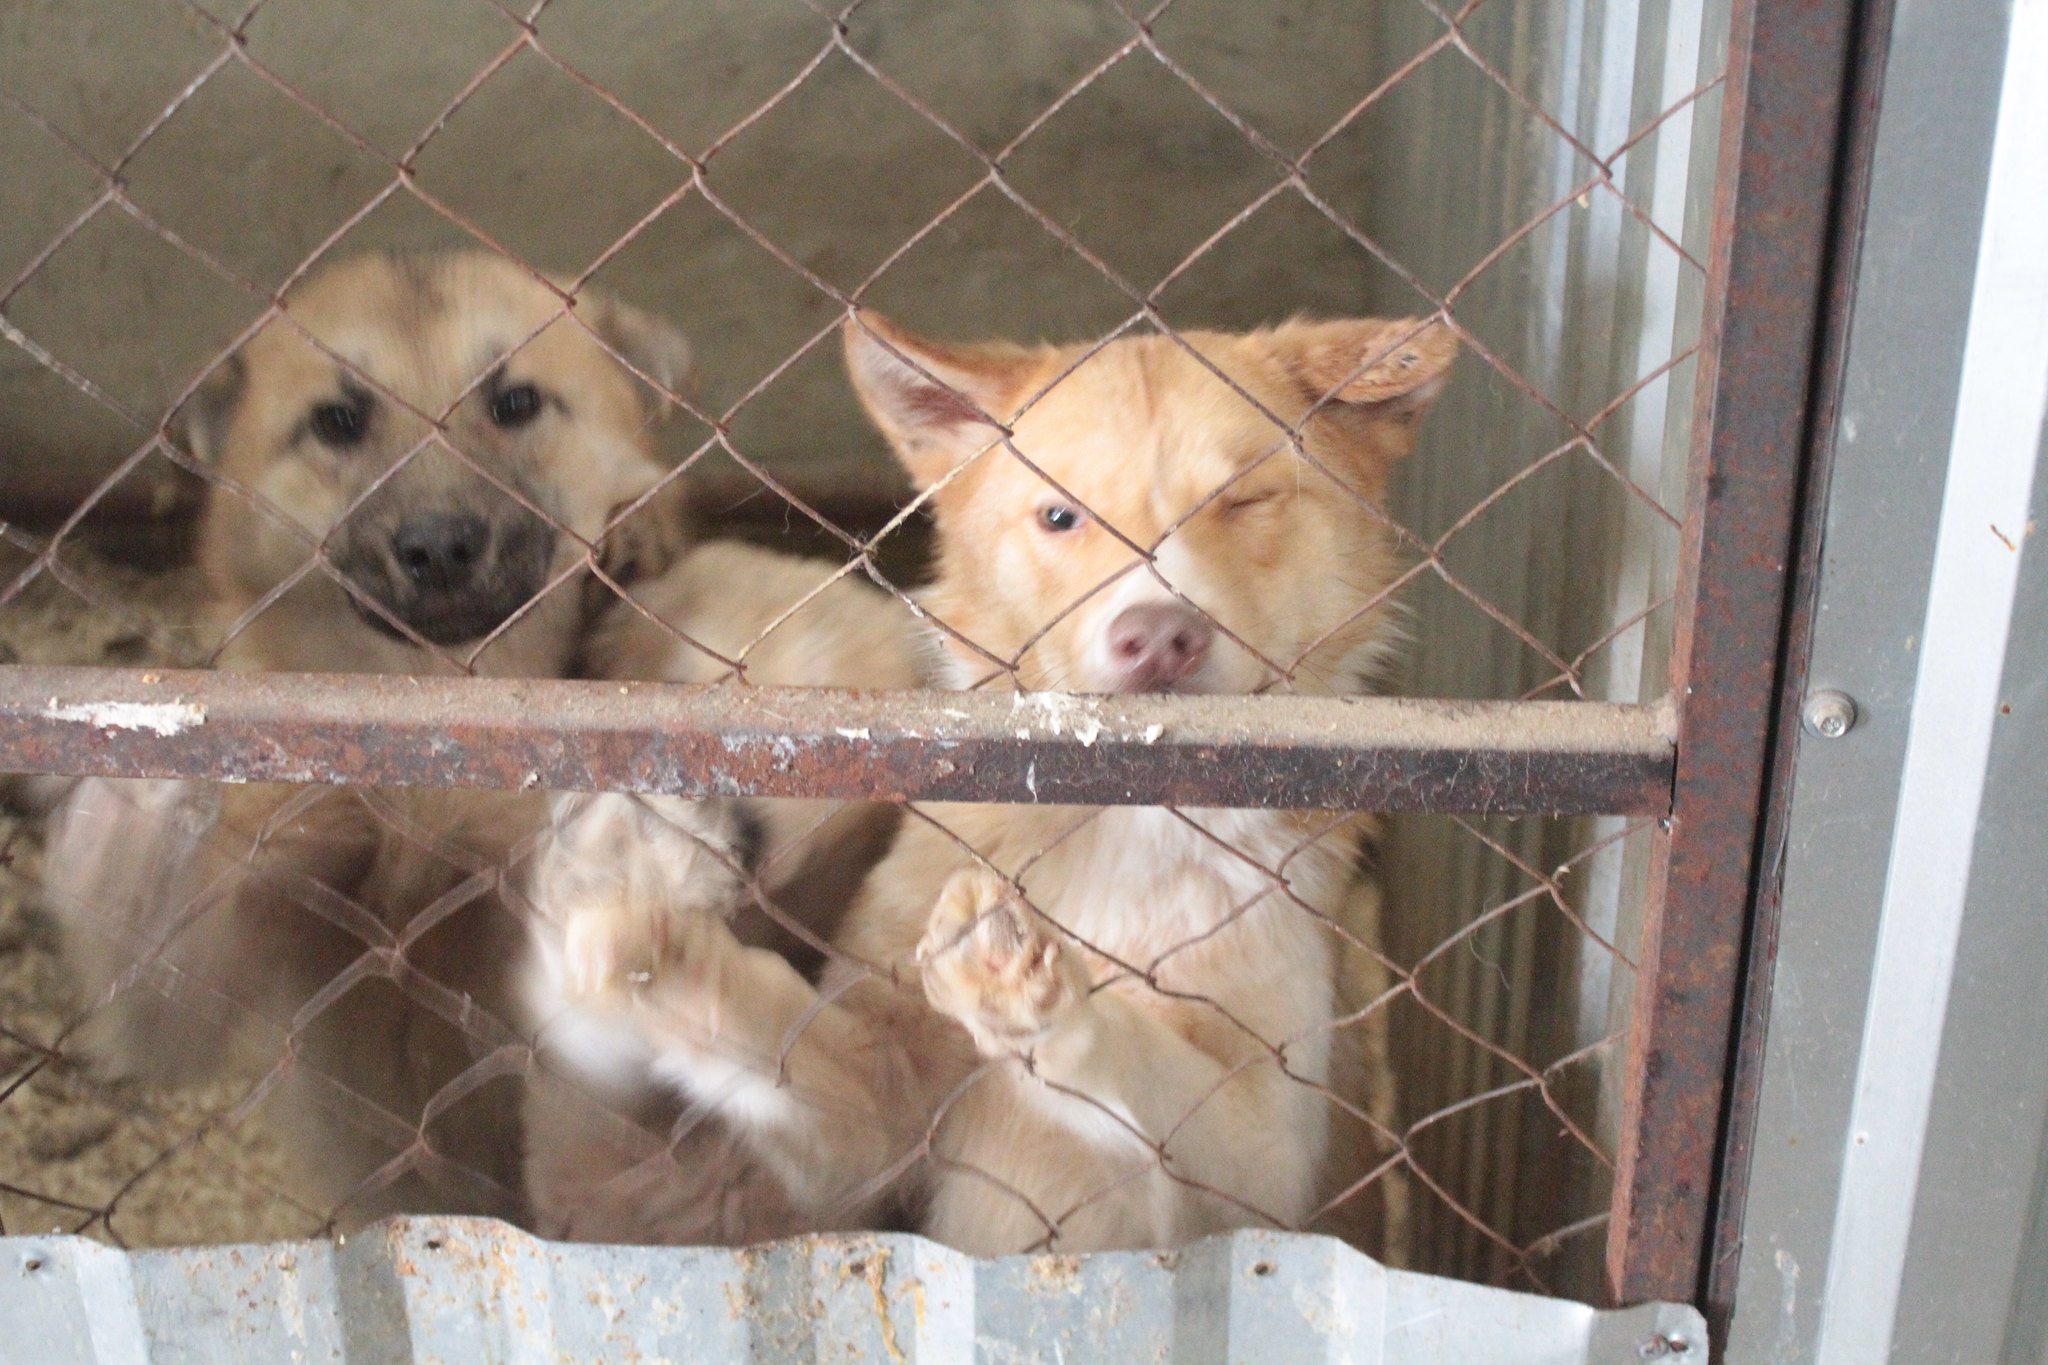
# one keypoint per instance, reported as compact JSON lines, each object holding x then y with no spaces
{"x":996,"y":967}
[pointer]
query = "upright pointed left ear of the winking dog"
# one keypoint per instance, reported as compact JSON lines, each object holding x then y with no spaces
{"x":937,"y":404}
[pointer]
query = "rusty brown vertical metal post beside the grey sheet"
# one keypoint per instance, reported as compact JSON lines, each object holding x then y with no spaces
{"x":1775,"y":212}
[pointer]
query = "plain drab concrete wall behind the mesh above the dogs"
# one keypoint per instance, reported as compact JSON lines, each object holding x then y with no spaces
{"x":841,"y":177}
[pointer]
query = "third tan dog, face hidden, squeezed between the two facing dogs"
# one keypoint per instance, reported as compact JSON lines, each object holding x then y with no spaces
{"x":636,"y":1168}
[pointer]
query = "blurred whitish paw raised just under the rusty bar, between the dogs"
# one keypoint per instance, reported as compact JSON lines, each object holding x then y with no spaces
{"x":634,"y":889}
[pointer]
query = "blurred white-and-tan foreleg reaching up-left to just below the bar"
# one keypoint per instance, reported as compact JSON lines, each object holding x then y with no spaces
{"x":638,"y":944}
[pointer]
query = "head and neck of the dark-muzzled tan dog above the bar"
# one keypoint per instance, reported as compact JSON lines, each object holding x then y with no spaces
{"x":466,"y":547}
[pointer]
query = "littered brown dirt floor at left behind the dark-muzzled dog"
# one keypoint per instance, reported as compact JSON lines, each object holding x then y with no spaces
{"x":116,"y":1161}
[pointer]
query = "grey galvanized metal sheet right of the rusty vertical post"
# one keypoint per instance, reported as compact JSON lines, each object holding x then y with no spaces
{"x":1965,"y":1282}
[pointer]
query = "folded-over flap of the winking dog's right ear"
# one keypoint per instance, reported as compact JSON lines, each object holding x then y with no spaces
{"x":1388,"y":367}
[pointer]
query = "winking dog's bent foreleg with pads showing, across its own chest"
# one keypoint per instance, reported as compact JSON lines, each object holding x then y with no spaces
{"x":1115,"y":1069}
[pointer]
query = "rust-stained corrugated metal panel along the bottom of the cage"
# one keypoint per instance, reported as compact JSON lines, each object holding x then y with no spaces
{"x":470,"y":1290}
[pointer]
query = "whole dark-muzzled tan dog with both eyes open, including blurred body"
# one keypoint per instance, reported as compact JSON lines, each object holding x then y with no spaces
{"x":368,"y":926}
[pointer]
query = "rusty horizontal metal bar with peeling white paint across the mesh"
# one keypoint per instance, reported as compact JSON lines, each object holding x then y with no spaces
{"x":1347,"y":754}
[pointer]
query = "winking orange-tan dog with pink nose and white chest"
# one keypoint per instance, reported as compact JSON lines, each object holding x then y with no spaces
{"x":1091,"y":1028}
